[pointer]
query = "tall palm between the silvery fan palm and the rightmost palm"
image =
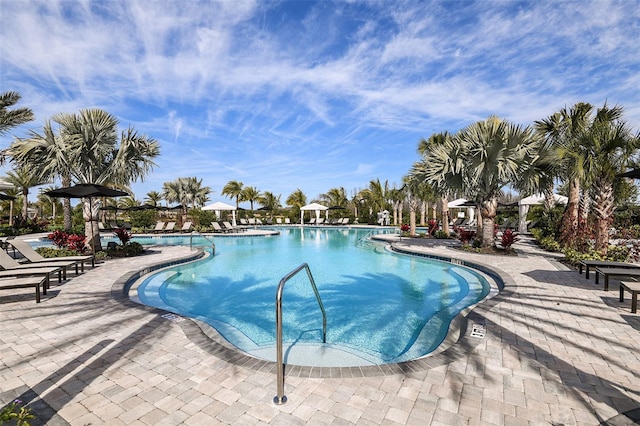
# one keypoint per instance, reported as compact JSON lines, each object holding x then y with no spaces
{"x":562,"y":132}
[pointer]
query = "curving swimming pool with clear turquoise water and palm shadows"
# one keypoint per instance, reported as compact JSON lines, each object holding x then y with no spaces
{"x":381,"y":307}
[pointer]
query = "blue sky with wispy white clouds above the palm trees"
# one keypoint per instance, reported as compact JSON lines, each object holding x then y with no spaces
{"x":313,"y":94}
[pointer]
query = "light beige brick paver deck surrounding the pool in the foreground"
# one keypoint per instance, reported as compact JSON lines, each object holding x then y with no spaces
{"x":557,"y":350}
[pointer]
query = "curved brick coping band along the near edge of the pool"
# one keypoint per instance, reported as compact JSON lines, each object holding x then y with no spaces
{"x":461,"y":339}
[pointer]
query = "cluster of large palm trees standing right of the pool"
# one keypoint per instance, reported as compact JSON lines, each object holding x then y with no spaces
{"x":573,"y":146}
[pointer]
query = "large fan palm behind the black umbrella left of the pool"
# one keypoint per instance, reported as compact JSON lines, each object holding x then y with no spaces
{"x":91,"y":151}
